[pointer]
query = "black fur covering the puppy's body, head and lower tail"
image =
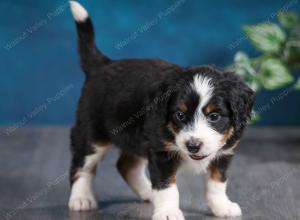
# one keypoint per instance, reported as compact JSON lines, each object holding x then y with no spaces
{"x":131,"y":103}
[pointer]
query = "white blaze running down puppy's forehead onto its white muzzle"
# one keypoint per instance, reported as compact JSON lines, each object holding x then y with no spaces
{"x":199,"y":127}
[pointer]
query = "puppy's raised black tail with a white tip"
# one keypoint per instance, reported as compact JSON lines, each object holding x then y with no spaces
{"x":90,"y":56}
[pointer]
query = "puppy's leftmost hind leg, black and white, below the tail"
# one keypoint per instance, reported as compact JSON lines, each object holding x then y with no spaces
{"x":83,"y":170}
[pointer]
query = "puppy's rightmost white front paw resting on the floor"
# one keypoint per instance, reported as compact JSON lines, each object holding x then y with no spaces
{"x":225,"y":208}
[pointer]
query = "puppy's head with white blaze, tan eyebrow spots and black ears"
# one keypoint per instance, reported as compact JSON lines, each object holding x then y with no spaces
{"x":208,"y":112}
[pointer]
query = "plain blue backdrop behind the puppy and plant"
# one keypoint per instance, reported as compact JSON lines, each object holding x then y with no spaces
{"x":40,"y":77}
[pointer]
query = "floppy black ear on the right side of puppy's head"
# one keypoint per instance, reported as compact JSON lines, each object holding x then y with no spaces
{"x":241,"y":100}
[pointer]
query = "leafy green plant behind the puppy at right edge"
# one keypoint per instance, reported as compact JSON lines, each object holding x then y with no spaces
{"x":279,"y":44}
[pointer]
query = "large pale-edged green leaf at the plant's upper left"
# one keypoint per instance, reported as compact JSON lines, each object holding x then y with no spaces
{"x":265,"y":37}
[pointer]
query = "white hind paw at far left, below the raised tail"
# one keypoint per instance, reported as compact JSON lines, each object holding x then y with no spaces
{"x":83,"y":203}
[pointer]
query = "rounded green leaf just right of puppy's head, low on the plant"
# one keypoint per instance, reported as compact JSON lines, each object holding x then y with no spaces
{"x":274,"y":74}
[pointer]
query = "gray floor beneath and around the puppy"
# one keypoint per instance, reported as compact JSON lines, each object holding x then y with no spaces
{"x":264,"y":179}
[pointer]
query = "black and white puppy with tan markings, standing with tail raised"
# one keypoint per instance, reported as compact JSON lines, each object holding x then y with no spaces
{"x":159,"y":115}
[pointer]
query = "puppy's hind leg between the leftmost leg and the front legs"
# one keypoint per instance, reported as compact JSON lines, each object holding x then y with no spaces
{"x":133,"y":170}
